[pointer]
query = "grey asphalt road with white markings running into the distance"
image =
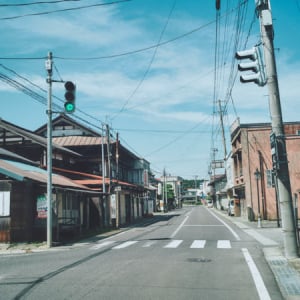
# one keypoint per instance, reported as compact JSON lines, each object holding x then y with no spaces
{"x":189,"y":254}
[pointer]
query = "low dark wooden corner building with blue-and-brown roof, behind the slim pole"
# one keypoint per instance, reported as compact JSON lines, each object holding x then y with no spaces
{"x":23,"y":204}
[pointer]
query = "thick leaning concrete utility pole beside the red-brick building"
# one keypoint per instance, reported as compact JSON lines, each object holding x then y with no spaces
{"x":283,"y":181}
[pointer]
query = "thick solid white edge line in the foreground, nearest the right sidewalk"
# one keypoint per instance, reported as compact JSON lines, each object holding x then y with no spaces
{"x":258,"y":281}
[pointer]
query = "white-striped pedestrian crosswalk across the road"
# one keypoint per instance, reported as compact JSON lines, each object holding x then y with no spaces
{"x":171,"y":244}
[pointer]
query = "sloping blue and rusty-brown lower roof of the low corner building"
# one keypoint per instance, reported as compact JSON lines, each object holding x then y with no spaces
{"x":21,"y":172}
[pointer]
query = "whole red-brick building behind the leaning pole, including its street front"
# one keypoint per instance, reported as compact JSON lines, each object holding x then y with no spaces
{"x":251,"y":151}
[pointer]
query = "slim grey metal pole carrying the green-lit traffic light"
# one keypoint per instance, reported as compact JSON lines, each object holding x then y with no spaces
{"x":49,"y":151}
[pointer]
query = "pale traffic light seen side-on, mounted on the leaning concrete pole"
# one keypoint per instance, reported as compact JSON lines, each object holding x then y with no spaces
{"x":255,"y":65}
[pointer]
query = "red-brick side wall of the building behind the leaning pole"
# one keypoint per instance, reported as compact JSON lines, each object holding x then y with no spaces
{"x":256,"y":154}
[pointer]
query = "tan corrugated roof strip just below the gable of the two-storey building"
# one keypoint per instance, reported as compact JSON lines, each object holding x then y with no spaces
{"x":65,"y":141}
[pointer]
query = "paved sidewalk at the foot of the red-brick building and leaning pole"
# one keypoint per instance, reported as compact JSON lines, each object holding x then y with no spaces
{"x":286,"y":271}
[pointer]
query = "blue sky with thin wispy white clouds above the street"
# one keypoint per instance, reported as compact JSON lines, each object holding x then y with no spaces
{"x":159,"y":72}
